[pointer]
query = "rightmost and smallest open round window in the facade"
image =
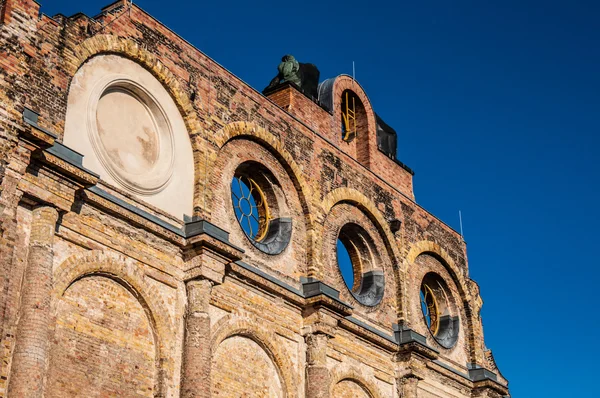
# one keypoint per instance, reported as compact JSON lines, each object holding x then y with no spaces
{"x":439,"y":311}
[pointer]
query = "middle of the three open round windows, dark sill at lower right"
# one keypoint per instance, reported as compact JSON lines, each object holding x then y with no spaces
{"x":356,"y":258}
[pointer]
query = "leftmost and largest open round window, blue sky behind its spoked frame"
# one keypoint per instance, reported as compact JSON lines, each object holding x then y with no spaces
{"x":255,"y":195}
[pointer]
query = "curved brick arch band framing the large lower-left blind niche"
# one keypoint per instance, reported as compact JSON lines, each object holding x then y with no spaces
{"x":117,"y":268}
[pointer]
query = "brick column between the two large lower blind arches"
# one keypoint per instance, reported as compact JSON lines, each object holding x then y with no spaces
{"x":197,"y":349}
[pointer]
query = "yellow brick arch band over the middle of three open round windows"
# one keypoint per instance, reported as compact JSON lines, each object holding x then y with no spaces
{"x":356,"y":198}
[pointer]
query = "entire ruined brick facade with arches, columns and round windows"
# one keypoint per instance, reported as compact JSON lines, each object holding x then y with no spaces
{"x":125,"y":270}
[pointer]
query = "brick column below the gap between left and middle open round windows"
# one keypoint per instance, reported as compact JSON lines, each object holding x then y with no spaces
{"x":318,"y":378}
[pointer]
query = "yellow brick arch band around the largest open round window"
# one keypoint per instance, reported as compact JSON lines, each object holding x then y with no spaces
{"x":252,"y":132}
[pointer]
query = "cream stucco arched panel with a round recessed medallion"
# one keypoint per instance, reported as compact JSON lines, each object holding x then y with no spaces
{"x":130,"y":131}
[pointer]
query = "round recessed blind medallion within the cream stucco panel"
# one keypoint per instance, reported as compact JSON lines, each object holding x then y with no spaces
{"x":131,"y":136}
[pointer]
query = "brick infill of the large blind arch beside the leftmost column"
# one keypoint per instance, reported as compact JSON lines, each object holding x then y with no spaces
{"x":103,"y":341}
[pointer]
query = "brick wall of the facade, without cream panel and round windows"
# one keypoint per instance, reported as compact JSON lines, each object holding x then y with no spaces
{"x":119,"y":319}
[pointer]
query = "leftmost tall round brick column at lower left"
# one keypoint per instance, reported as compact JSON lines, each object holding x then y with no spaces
{"x":32,"y":341}
